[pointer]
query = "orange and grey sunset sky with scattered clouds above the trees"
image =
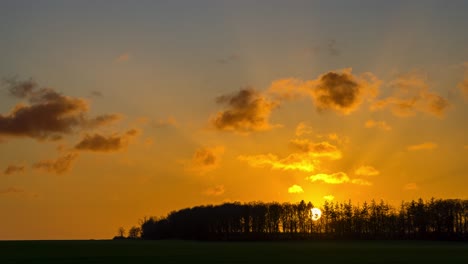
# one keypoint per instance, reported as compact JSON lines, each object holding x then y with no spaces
{"x":111,"y":111}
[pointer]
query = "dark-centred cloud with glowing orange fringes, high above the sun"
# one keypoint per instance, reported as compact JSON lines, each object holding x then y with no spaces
{"x":340,"y":91}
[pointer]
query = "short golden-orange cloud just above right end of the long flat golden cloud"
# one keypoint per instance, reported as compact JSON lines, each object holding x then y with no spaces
{"x":317,"y":150}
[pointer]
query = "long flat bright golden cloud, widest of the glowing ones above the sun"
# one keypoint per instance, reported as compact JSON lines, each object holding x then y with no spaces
{"x":295,"y":161}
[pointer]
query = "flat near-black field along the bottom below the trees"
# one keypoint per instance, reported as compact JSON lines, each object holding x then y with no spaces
{"x":232,"y":252}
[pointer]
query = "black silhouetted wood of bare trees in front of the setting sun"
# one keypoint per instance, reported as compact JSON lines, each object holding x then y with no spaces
{"x":441,"y":219}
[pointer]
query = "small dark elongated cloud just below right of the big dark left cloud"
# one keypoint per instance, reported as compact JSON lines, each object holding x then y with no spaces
{"x":99,"y":143}
